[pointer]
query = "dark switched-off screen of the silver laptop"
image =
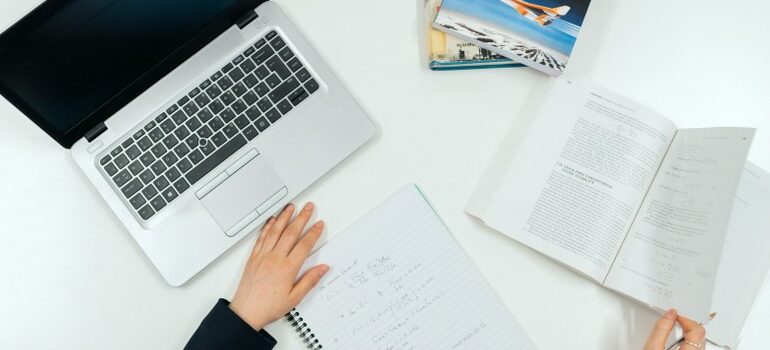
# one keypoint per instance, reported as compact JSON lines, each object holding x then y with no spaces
{"x":69,"y":60}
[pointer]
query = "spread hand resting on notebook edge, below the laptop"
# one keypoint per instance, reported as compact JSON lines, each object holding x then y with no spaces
{"x":269,"y":287}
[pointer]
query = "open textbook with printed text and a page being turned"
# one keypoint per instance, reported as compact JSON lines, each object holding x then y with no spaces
{"x":619,"y":194}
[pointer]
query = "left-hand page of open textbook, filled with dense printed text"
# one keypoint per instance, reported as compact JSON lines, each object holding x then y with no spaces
{"x":580,"y":175}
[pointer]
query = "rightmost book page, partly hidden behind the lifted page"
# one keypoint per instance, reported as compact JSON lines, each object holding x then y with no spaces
{"x":745,"y":260}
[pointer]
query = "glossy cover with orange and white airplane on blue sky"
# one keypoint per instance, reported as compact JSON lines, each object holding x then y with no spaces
{"x":540,"y":33}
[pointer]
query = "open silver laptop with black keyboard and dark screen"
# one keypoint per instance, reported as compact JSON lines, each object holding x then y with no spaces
{"x":195,"y":120}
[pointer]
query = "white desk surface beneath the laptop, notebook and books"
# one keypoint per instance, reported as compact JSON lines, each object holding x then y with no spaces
{"x":72,"y":278}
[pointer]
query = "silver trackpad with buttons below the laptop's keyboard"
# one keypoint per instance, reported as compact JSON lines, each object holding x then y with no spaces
{"x":244,"y":196}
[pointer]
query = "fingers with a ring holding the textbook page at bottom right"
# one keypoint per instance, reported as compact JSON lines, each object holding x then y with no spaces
{"x":694,"y":334}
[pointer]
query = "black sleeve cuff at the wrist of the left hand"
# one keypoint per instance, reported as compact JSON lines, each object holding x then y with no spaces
{"x":223,"y":329}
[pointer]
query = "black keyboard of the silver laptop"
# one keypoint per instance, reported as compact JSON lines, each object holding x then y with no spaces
{"x":185,"y":142}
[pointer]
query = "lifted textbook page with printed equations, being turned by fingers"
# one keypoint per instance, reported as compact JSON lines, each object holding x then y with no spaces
{"x":670,"y":257}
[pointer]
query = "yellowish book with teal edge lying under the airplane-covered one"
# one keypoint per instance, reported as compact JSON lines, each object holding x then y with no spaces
{"x":446,"y":52}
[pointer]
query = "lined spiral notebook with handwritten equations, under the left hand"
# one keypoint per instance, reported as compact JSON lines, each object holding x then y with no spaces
{"x":399,"y":280}
